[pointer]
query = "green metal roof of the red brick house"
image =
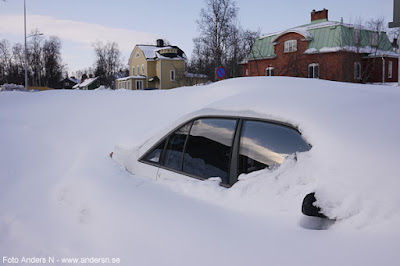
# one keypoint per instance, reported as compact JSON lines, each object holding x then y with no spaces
{"x":327,"y":36}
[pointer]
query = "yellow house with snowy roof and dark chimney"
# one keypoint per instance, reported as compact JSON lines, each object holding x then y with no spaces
{"x":157,"y":67}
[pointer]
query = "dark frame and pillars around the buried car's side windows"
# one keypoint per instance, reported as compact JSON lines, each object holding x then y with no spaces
{"x":234,"y":156}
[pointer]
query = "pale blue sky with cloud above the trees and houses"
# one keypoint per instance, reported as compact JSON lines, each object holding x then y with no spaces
{"x":127,"y":22}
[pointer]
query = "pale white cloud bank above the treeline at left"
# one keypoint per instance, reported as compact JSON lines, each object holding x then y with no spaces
{"x":76,"y":35}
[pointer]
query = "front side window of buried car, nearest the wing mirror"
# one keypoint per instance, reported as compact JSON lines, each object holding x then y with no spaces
{"x":264,"y":144}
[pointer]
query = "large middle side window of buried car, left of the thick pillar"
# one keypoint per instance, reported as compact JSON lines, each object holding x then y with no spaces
{"x":209,"y":147}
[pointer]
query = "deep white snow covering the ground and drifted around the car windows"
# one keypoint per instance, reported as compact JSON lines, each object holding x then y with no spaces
{"x":62,"y":196}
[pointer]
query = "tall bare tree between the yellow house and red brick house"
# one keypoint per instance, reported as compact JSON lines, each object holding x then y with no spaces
{"x":222,"y":41}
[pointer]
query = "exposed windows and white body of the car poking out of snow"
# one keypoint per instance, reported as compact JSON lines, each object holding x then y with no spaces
{"x":211,"y":143}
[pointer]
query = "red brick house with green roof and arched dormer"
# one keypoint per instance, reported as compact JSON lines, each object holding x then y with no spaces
{"x":324,"y":49}
